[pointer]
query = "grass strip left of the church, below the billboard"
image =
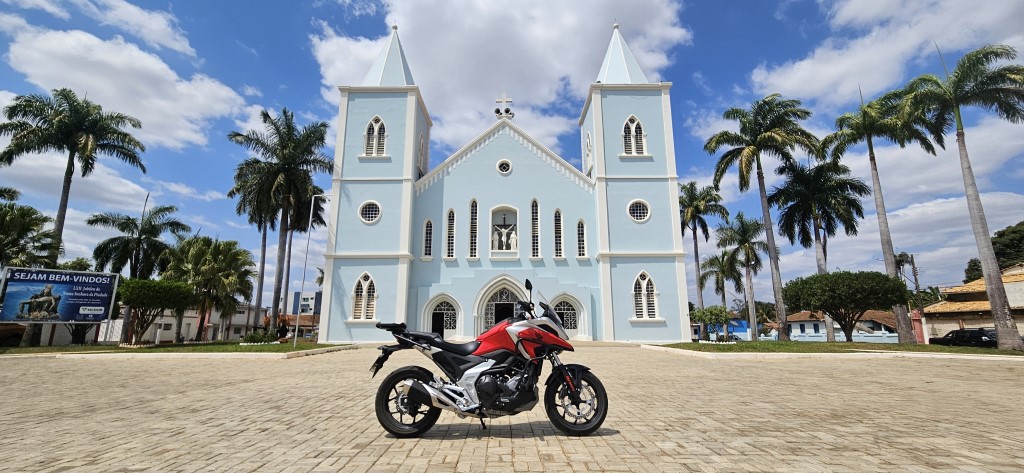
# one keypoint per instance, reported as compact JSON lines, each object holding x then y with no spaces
{"x":215,"y":348}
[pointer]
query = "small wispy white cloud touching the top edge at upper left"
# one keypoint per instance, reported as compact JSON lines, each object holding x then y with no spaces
{"x":157,"y":29}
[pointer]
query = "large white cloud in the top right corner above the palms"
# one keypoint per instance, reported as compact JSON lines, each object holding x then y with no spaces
{"x":875,"y":42}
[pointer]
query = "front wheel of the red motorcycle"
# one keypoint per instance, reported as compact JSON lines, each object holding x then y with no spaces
{"x":577,"y":420}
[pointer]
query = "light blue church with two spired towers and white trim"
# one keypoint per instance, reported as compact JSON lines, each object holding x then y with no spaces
{"x":448,"y":249}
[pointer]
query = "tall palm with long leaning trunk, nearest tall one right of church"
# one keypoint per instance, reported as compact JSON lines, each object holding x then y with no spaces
{"x":770,"y":128}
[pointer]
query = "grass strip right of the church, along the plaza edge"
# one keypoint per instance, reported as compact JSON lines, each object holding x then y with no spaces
{"x":836,"y":348}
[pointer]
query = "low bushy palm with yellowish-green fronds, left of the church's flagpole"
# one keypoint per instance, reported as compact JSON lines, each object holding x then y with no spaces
{"x":220,"y":271}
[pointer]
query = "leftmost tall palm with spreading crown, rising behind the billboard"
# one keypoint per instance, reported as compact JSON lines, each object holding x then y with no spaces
{"x":66,"y":123}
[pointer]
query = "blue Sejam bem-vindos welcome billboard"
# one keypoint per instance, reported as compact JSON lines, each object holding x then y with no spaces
{"x":40,"y":296}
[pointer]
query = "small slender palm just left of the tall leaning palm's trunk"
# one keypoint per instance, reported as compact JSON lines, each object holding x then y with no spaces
{"x":744,"y":237}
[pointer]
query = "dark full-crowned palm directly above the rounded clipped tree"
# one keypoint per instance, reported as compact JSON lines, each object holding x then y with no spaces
{"x":815,"y":202}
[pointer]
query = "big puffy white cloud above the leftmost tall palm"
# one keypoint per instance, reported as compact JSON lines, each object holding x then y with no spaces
{"x":175,"y":112}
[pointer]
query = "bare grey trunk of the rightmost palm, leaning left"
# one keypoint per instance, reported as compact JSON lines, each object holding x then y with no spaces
{"x":1007,"y":335}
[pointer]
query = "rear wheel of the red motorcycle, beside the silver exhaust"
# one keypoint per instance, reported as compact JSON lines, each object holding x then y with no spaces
{"x":399,"y":415}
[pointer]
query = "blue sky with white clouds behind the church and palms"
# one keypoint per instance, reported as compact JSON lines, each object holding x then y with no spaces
{"x":193,"y":72}
